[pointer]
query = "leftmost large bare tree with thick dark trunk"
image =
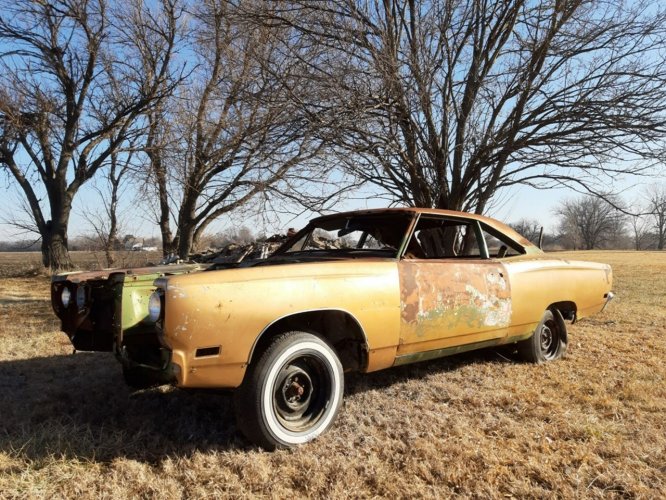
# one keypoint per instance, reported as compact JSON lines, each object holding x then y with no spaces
{"x":70,"y":96}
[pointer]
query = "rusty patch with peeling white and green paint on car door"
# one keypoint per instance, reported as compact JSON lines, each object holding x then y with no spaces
{"x":445,"y":298}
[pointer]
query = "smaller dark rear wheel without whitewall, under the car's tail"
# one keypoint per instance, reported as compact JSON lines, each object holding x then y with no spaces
{"x":549,"y":341}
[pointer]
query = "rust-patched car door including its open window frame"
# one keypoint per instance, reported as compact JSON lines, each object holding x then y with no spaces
{"x":451,"y":292}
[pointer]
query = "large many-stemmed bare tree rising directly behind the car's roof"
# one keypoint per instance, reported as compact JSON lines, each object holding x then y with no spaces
{"x":443,"y":103}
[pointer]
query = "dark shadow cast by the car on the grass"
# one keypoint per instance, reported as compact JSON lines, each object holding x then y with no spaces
{"x":78,"y":407}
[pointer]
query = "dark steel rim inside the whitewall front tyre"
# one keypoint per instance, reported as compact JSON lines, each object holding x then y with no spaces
{"x":301,"y":392}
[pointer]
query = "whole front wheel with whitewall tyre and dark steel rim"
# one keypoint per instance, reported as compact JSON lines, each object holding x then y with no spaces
{"x":293,"y":392}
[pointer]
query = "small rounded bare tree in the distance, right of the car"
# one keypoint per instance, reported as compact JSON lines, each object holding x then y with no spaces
{"x":590,"y":222}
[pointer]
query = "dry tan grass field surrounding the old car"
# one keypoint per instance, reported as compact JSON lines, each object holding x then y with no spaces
{"x":475,"y":425}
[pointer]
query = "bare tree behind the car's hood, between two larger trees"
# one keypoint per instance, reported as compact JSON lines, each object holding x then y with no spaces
{"x":230,"y":132}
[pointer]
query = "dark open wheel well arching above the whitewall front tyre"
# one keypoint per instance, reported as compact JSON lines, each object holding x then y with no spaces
{"x":338,"y":328}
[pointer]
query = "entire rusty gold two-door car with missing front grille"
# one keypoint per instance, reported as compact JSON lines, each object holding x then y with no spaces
{"x":357,"y":291}
